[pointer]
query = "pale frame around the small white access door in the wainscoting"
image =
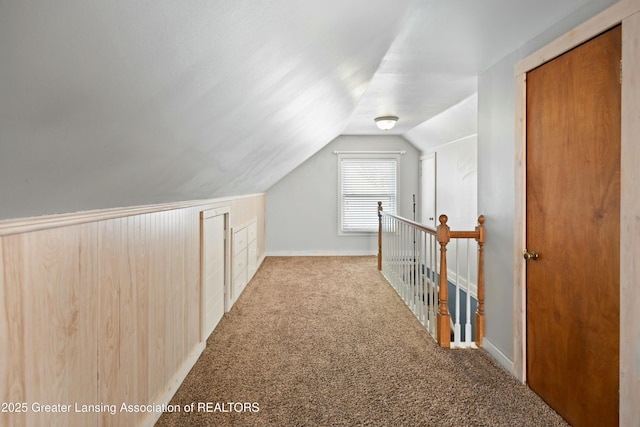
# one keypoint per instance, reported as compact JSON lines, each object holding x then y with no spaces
{"x":209,"y":213}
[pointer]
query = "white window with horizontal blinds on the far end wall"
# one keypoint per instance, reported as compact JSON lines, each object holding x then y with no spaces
{"x":364,"y":180}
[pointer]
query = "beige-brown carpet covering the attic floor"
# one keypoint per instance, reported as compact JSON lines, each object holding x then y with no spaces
{"x":325,"y":341}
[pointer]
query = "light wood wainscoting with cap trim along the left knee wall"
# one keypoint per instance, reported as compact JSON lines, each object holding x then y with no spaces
{"x":103,"y":308}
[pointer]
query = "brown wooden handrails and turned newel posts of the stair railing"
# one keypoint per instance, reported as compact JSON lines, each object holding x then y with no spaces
{"x":443,"y":235}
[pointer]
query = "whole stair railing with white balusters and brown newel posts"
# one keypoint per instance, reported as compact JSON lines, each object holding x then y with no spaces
{"x":407,"y":257}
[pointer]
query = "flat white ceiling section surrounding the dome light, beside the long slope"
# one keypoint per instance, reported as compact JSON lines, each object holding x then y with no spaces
{"x":434,"y":62}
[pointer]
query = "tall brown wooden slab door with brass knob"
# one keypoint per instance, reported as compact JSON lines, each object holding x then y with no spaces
{"x":573,"y":223}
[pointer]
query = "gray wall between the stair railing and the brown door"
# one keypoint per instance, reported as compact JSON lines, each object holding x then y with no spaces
{"x":496,"y":136}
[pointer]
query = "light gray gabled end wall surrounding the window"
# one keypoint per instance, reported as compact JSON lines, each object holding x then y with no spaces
{"x":302,"y":208}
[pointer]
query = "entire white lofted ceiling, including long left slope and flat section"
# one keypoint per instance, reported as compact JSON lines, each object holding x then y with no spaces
{"x":120,"y":102}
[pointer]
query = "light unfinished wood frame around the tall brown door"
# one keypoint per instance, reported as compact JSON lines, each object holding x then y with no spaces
{"x":627,"y":13}
